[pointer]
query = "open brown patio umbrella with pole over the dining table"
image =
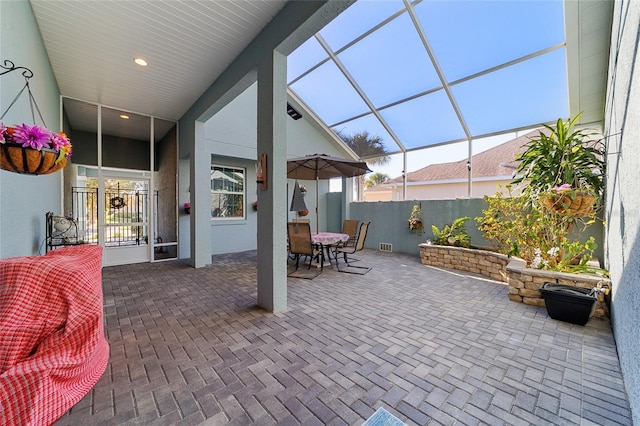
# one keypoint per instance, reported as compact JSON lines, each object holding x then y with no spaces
{"x":321,"y":166}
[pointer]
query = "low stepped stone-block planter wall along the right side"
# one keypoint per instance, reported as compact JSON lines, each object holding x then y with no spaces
{"x":524,"y":283}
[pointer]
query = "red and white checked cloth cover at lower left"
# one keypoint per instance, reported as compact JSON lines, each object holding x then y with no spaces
{"x":52,"y":344}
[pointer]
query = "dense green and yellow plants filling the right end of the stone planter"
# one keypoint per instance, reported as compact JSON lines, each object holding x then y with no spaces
{"x":561,"y":172}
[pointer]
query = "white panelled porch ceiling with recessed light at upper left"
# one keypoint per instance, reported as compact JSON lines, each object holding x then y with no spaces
{"x":91,"y":46}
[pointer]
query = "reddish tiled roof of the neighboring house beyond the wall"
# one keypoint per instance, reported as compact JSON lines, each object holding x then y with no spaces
{"x":494,"y":162}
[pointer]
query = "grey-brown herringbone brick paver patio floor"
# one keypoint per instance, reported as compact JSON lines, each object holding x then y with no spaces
{"x":189,"y":346}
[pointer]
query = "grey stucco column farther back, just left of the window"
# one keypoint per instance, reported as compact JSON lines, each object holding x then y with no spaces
{"x":200,"y":192}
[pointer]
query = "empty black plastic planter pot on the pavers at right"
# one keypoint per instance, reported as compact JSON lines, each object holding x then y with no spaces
{"x":567,"y":303}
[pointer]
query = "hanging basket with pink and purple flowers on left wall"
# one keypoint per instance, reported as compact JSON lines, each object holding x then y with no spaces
{"x":33,"y":149}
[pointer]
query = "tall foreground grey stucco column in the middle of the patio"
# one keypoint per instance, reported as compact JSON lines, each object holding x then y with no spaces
{"x":272,"y":214}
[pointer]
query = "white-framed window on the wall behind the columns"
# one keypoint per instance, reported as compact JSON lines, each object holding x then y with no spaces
{"x":227,"y":192}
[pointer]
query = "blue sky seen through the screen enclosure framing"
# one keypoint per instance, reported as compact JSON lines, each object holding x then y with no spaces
{"x":437,"y":72}
